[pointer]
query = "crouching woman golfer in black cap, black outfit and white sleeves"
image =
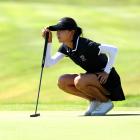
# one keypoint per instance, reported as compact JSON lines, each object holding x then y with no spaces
{"x":100,"y":84}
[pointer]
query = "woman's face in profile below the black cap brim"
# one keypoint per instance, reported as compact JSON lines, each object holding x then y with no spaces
{"x":65,"y":35}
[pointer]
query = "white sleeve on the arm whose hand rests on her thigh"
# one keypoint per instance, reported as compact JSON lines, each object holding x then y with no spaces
{"x":111,"y":52}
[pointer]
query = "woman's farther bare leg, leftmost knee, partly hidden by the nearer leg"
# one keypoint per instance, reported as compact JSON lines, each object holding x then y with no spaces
{"x":66,"y":83}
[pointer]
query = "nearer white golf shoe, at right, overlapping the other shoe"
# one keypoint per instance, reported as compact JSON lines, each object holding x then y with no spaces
{"x":103,"y":108}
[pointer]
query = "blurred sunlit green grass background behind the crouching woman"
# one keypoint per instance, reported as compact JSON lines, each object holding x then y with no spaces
{"x":21,"y":47}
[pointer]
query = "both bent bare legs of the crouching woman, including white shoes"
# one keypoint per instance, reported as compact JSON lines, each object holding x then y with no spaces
{"x":87,"y":86}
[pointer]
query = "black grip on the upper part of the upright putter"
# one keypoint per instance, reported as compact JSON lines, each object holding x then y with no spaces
{"x":45,"y":49}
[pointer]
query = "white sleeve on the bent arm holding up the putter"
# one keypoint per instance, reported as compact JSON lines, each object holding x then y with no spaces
{"x":51,"y":60}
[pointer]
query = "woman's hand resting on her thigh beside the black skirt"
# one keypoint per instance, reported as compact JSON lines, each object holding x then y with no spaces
{"x":102,"y":77}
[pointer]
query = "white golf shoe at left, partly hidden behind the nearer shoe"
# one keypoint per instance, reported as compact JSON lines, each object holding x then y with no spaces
{"x":92,"y":106}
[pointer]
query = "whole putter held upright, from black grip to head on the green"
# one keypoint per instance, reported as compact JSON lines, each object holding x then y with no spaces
{"x":42,"y":66}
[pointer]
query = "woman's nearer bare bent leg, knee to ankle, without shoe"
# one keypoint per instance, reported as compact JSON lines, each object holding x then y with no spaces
{"x":89,"y":84}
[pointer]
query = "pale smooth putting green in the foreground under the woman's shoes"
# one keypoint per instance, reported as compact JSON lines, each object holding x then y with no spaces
{"x":69,"y":125}
